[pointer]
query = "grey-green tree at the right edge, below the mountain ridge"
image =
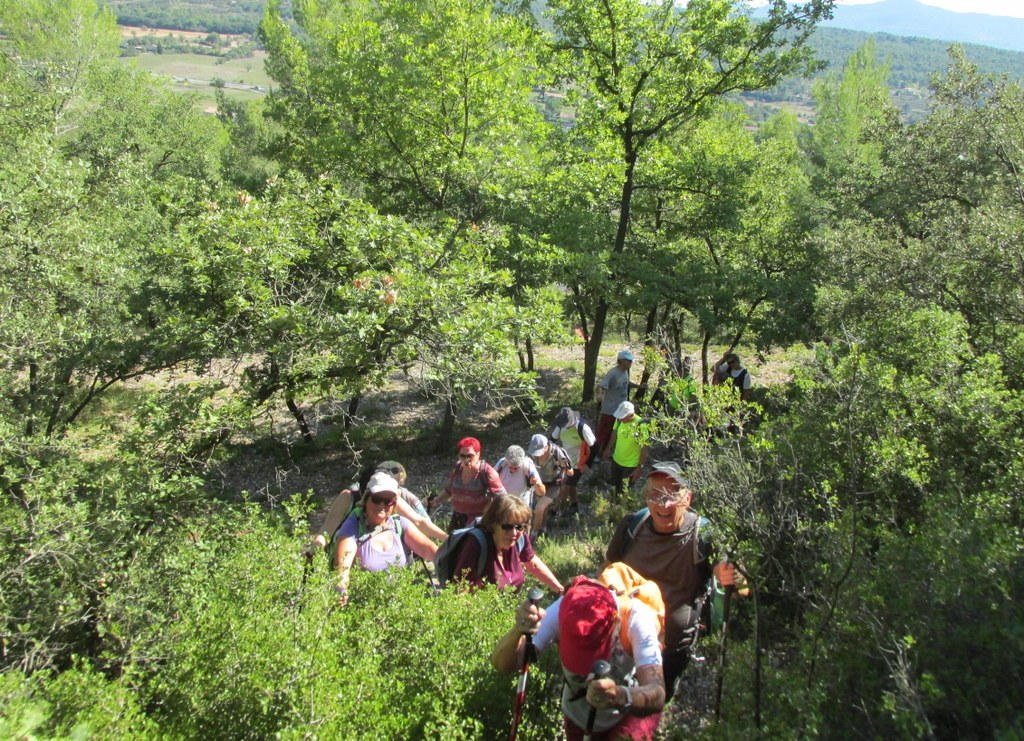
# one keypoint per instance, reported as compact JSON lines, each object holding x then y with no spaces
{"x":944,"y":214}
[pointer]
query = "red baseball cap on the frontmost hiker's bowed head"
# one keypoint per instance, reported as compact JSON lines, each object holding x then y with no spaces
{"x":586,"y":625}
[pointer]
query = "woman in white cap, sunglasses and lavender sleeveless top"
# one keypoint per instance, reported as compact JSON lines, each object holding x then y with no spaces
{"x":376,"y":537}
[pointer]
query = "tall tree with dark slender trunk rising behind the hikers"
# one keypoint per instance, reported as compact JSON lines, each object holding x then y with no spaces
{"x":639,"y":72}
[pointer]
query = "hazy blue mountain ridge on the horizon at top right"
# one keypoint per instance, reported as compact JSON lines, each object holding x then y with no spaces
{"x":910,"y":18}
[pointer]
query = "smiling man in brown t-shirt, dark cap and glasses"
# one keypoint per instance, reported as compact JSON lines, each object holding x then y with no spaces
{"x":667,"y":548}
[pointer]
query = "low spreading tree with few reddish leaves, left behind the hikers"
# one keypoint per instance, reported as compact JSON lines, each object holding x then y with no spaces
{"x":331,"y":297}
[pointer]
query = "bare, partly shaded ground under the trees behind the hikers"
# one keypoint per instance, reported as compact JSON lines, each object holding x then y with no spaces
{"x":400,"y":423}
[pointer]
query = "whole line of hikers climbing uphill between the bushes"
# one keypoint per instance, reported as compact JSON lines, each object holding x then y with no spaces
{"x":624,"y":637}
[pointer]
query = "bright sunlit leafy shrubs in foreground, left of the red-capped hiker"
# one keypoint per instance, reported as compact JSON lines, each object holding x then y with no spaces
{"x":258,"y":645}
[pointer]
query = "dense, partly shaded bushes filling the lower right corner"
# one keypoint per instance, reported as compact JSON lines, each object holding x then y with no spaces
{"x":869,"y":532}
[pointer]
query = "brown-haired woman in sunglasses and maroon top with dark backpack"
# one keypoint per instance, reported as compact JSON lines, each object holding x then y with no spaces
{"x":505,"y":526}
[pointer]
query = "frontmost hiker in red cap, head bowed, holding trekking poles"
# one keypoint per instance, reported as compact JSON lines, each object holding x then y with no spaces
{"x":590,"y":625}
